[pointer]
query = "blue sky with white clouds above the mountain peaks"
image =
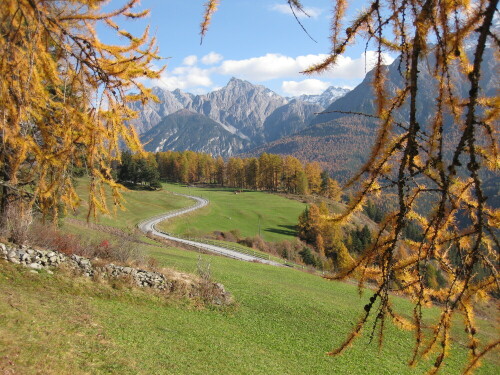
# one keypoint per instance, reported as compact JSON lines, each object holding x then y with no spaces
{"x":256,"y":40}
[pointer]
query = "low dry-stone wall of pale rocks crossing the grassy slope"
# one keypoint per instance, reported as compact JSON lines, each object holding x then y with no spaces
{"x":173,"y":282}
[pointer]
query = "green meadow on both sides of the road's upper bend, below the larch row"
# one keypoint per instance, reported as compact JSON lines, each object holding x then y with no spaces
{"x":227,"y":211}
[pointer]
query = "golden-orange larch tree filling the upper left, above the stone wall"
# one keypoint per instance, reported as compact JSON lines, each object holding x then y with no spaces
{"x":63,"y":96}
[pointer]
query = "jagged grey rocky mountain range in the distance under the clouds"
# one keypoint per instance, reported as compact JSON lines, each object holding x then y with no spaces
{"x":241,"y":114}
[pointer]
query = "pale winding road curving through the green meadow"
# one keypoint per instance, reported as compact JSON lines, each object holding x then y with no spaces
{"x":148,"y":225}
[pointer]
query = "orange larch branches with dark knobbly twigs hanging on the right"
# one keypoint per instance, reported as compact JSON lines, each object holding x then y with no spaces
{"x":441,"y":160}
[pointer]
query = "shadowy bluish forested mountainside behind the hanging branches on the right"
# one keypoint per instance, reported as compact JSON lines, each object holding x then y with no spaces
{"x":342,"y":136}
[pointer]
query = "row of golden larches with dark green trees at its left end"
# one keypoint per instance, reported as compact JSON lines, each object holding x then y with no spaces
{"x":267,"y":172}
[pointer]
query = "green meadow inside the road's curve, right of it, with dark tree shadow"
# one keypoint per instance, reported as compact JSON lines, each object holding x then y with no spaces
{"x":228,"y":211}
